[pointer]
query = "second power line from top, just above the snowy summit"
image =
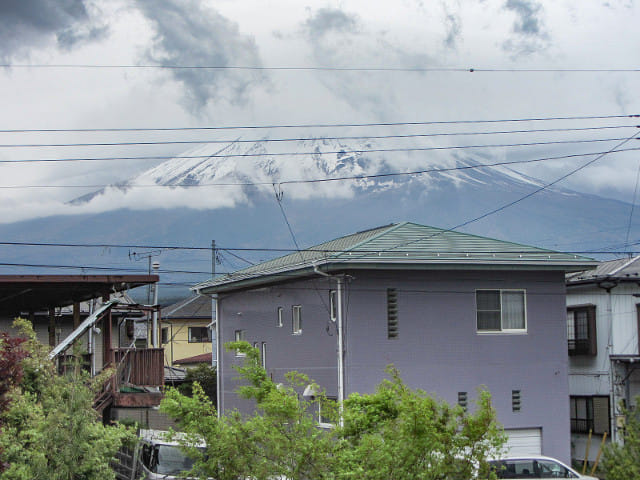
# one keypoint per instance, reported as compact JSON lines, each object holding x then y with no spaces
{"x":320,"y":125}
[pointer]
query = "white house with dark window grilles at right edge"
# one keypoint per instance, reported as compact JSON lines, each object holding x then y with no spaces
{"x":603,"y":318}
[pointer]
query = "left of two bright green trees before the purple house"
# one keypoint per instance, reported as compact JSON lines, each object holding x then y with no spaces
{"x":280,"y":439}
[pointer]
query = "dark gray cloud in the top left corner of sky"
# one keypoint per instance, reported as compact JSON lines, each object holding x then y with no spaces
{"x":25,"y":24}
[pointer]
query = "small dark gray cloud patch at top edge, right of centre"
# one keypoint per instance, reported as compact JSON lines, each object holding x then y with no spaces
{"x":530,"y":33}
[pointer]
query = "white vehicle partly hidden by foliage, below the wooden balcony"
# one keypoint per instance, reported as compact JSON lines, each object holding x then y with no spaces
{"x":155,"y":457}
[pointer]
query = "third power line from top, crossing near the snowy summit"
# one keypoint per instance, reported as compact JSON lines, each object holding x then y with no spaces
{"x":303,"y":139}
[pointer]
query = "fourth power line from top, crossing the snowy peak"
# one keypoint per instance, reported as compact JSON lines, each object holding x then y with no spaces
{"x":330,"y":152}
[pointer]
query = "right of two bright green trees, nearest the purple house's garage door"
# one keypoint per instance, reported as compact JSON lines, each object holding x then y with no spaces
{"x":398,"y":433}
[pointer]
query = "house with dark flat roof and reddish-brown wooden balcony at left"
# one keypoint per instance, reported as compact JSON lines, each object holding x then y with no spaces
{"x":95,"y":313}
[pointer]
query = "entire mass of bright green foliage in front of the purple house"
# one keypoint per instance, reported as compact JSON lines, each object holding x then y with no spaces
{"x":395,"y":433}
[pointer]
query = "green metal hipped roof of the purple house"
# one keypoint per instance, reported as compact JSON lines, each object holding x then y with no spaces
{"x":401,"y":246}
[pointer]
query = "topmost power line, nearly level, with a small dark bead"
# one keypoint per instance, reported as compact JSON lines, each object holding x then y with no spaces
{"x":324,"y":68}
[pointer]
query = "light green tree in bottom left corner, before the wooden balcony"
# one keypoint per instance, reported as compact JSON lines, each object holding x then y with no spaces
{"x":50,"y":430}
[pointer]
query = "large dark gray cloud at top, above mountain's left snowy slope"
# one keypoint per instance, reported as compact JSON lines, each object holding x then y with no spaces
{"x":189,"y":34}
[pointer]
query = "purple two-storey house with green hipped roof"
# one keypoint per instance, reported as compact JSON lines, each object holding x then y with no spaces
{"x":451,"y":311}
